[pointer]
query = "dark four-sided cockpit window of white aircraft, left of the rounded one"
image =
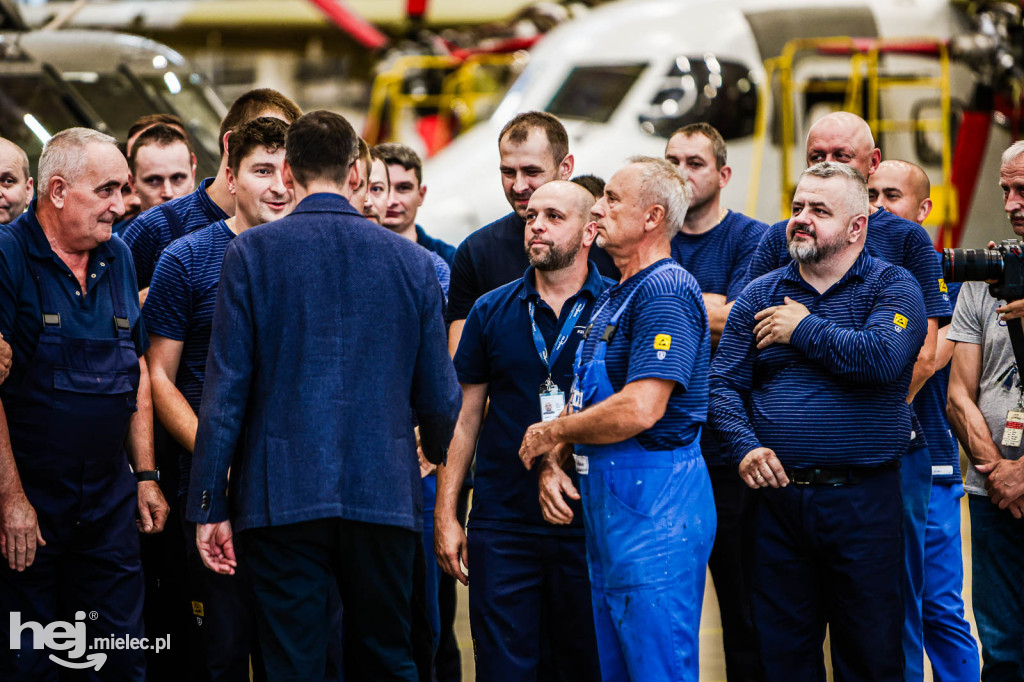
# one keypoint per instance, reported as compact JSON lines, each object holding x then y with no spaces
{"x":593,"y":94}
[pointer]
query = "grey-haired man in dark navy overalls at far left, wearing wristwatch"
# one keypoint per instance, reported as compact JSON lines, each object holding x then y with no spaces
{"x":68,"y":498}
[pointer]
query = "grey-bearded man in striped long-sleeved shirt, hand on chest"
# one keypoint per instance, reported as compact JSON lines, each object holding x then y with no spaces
{"x":829,"y":546}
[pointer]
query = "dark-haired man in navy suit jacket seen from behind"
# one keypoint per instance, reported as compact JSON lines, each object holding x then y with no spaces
{"x":327,"y":338}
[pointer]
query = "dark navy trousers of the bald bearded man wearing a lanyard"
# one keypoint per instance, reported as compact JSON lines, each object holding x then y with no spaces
{"x":530,"y":608}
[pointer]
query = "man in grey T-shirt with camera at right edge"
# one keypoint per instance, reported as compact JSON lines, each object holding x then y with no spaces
{"x":985,"y":409}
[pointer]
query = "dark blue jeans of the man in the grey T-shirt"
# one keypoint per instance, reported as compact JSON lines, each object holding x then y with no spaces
{"x":998,"y":558}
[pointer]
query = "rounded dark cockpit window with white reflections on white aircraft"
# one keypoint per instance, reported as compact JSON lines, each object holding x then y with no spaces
{"x":706,"y":90}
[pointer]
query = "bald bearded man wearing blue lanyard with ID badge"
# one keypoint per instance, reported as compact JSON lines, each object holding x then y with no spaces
{"x":530,"y":578}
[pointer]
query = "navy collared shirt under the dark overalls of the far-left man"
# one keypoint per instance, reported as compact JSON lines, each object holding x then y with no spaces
{"x":82,"y":316}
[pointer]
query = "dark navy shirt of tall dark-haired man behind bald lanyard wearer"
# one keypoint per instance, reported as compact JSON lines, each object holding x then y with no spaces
{"x":495,"y":255}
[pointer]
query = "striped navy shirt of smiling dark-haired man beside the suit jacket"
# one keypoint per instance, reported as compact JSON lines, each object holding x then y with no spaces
{"x":180,"y":307}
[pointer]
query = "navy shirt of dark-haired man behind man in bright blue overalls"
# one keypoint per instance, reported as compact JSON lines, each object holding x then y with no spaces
{"x":718,"y":259}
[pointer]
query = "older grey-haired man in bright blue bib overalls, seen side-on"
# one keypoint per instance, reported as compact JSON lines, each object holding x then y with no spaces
{"x":639,"y":399}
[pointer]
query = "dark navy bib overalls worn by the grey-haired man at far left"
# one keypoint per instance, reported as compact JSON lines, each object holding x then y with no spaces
{"x":69,"y":416}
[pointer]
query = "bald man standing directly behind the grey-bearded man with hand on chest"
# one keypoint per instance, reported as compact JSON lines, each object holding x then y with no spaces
{"x":846,"y":139}
